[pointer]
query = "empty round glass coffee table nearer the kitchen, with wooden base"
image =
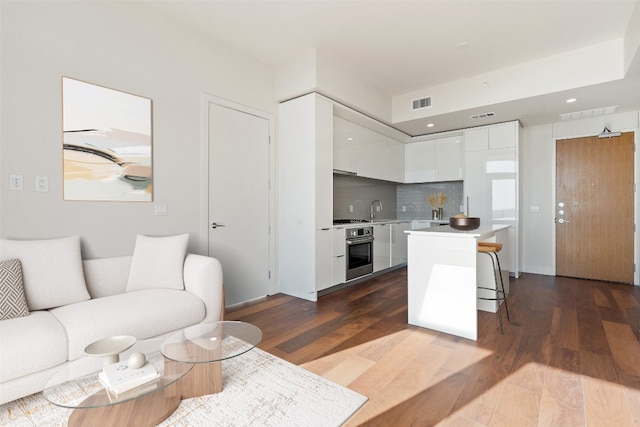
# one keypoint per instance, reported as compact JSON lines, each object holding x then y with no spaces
{"x":205,"y":346}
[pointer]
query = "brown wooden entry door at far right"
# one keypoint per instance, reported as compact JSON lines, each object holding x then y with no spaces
{"x":594,"y":208}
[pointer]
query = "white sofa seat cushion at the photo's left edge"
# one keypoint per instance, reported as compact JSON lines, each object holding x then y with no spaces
{"x":30,"y":344}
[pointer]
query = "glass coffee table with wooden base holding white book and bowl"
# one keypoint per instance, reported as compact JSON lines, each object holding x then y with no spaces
{"x":76,"y":386}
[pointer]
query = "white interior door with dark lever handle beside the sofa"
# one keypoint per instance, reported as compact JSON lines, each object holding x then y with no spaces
{"x":239,"y":213}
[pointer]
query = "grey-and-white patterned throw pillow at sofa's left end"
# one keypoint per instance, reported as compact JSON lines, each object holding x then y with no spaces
{"x":12,"y":301}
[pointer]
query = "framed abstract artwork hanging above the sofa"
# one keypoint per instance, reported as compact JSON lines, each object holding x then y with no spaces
{"x":107,"y":144}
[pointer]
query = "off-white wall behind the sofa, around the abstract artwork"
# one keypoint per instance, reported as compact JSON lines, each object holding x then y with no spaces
{"x":125,"y":46}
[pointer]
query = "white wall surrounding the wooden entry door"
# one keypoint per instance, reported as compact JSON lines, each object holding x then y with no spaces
{"x":538,"y":183}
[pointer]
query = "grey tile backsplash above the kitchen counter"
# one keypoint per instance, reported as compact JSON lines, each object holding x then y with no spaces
{"x":352,"y":197}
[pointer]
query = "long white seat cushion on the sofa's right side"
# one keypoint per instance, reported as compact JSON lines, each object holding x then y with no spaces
{"x":142,"y":314}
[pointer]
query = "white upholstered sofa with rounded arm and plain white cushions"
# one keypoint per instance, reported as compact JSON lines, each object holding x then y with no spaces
{"x":58,"y":327}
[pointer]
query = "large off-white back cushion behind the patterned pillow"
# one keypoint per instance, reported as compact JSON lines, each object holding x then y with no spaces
{"x":51,"y":270}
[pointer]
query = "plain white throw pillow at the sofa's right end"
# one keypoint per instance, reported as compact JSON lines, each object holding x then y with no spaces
{"x":158,"y":262}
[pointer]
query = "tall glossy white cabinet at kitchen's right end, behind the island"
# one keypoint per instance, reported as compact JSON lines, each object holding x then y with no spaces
{"x":491,"y":183}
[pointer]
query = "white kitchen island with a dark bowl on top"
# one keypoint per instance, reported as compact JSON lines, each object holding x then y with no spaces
{"x":444,"y":271}
